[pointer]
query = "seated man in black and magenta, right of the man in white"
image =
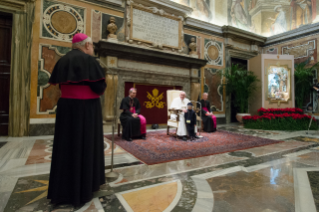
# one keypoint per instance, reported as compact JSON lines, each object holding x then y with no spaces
{"x":208,"y":118}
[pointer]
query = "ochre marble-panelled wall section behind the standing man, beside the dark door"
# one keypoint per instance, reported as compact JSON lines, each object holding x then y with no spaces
{"x":55,"y":24}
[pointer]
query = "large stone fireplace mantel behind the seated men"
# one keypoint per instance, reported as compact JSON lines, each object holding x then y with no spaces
{"x":132,"y":63}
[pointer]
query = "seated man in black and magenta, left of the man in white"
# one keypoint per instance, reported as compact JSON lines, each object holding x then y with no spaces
{"x":134,"y":124}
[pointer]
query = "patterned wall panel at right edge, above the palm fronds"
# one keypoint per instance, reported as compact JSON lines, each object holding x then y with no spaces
{"x":302,"y":51}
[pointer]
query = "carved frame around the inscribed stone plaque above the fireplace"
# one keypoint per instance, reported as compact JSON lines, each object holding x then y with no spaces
{"x":165,"y":15}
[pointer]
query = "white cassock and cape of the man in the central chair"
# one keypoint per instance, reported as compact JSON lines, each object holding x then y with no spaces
{"x":179,"y":104}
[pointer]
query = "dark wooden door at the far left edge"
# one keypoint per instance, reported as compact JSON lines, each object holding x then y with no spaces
{"x":5,"y":64}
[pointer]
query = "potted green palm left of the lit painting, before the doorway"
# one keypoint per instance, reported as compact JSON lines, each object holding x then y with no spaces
{"x":242,"y":84}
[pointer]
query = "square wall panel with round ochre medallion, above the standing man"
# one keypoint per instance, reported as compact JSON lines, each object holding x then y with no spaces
{"x":61,"y":21}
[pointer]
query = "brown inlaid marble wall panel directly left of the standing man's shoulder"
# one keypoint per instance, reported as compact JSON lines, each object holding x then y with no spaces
{"x":48,"y":95}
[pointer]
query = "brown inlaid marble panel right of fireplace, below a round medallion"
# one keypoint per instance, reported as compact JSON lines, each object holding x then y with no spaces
{"x":213,"y":86}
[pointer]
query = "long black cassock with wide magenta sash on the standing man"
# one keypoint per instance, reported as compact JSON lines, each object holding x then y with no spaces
{"x":77,"y":166}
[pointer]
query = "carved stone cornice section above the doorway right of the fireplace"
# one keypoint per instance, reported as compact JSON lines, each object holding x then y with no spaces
{"x":243,"y":36}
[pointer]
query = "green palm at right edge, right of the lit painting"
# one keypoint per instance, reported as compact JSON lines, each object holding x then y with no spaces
{"x":303,"y":81}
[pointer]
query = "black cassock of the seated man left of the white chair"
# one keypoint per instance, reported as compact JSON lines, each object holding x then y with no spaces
{"x":131,"y":125}
